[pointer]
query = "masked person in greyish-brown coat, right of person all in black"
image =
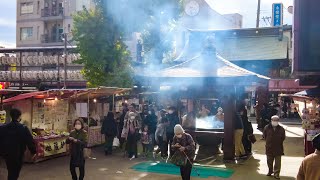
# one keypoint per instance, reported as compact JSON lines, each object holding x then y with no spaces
{"x":132,"y":124}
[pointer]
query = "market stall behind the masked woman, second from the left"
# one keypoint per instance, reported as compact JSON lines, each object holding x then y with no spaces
{"x":92,"y":105}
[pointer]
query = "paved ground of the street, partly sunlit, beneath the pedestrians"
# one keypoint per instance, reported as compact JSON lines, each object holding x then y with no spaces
{"x":118,"y":168}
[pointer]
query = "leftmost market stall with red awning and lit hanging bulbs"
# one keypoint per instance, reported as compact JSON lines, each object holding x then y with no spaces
{"x":46,"y":115}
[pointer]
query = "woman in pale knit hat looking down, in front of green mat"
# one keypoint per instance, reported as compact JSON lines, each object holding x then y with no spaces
{"x":184,"y":143}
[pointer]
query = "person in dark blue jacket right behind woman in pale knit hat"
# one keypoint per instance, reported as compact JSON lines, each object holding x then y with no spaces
{"x":173,"y":119}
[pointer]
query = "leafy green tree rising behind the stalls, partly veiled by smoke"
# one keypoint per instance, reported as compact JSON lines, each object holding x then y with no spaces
{"x":103,"y":53}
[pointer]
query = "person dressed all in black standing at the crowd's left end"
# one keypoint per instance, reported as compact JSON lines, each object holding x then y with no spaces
{"x":109,"y":129}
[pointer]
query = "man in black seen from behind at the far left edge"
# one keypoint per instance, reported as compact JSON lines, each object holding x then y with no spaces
{"x":15,"y":138}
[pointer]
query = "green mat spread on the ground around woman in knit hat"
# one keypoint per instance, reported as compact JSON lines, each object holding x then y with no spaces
{"x":167,"y":168}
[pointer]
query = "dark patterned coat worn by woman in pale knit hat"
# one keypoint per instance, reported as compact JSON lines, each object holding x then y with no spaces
{"x":185,"y":141}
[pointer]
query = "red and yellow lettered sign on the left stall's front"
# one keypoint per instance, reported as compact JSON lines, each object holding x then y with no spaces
{"x":54,"y":146}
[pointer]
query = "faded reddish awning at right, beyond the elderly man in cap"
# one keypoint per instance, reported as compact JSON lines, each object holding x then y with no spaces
{"x":286,"y":85}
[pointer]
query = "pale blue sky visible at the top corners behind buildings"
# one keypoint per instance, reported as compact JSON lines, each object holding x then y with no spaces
{"x":247,"y":8}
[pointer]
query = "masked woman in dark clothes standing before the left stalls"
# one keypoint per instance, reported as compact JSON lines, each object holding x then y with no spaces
{"x":78,"y":141}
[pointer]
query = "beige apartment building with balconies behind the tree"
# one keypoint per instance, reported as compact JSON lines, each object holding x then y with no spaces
{"x":40,"y":23}
